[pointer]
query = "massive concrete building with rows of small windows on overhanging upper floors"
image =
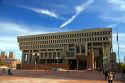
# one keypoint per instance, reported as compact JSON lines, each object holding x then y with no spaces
{"x":89,"y":48}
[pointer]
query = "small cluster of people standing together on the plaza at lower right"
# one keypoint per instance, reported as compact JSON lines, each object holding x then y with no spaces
{"x":109,"y":75}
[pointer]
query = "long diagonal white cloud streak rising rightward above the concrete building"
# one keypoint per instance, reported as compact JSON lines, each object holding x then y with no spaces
{"x":78,"y":10}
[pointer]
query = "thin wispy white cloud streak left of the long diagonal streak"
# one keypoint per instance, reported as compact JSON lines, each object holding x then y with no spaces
{"x":44,"y":11}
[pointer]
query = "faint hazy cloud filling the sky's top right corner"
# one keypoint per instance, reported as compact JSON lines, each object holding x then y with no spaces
{"x":115,"y":11}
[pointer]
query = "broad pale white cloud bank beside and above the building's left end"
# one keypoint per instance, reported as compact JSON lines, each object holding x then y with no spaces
{"x":8,"y":35}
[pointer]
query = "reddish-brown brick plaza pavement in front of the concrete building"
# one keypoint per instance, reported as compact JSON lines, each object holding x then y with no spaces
{"x":23,"y":76}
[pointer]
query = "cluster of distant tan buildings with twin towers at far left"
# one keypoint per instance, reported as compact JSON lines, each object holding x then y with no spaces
{"x":9,"y":61}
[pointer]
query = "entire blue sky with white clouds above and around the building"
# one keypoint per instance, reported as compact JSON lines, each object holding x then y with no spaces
{"x":25,"y":17}
